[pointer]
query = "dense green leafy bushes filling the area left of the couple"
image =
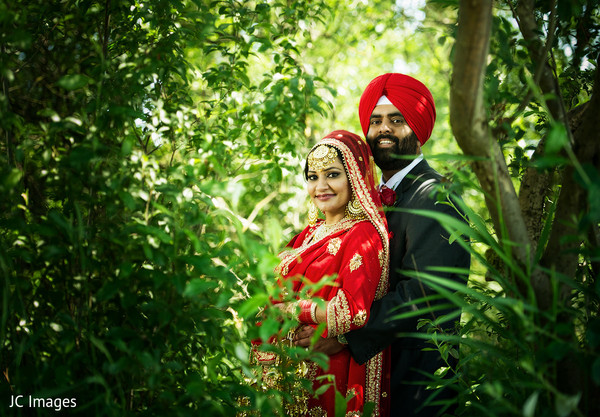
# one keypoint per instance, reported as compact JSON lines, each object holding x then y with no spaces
{"x":129,"y":183}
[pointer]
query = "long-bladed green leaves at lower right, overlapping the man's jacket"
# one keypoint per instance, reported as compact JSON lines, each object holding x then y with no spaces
{"x":509,"y":350}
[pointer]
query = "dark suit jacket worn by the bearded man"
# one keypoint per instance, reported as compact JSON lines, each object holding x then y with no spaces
{"x":418,"y":243}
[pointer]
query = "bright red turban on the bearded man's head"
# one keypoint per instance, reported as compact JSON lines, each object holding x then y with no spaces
{"x":408,"y":95}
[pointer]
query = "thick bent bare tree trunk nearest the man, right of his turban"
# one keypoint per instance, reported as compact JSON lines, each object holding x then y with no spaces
{"x":471,"y":129}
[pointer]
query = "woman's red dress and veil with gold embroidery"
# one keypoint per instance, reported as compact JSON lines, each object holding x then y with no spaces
{"x":357,"y":256}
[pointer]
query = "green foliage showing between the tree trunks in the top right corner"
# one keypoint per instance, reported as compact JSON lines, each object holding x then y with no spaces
{"x":520,"y":121}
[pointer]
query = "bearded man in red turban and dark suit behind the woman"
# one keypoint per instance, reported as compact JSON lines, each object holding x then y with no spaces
{"x":397,"y":114}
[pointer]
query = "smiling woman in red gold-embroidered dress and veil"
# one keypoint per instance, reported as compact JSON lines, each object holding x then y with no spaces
{"x":351,"y":244}
